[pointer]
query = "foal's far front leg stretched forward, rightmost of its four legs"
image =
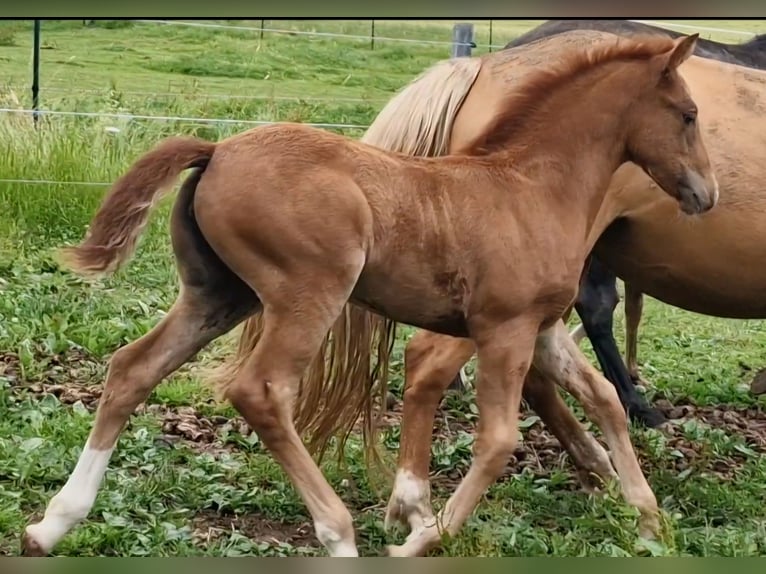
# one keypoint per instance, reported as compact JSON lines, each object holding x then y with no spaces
{"x":558,"y":357}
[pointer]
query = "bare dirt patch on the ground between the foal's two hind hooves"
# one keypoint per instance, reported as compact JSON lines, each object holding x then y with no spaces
{"x":209,"y":525}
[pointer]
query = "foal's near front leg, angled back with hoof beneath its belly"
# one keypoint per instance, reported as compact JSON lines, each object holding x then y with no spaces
{"x":504,"y":356}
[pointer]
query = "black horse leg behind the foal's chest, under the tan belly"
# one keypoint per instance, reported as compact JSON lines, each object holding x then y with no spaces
{"x":595,"y":305}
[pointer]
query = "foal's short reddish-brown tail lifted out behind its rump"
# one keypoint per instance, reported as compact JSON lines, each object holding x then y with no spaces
{"x":116,"y":226}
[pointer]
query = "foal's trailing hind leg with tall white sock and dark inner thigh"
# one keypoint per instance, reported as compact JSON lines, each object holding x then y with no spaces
{"x":212,"y":301}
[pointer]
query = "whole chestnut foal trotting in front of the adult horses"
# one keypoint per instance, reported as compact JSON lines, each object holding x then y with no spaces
{"x":297,"y":223}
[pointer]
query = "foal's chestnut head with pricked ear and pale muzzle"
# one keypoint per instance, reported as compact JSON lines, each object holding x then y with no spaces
{"x":664,"y":135}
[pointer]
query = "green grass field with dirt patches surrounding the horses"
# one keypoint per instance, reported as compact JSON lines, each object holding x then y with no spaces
{"x":188,"y":478}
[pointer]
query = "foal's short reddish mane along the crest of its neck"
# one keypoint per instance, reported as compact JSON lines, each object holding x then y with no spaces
{"x":520,"y":106}
